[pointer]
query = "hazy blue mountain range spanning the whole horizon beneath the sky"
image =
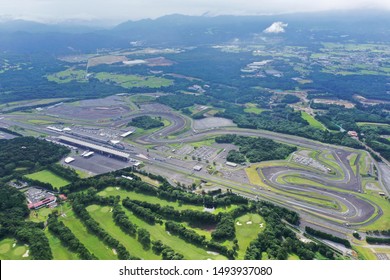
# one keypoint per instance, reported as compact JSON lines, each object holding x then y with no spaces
{"x":182,"y":31}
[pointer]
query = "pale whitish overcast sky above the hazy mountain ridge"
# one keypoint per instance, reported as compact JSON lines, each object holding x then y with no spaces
{"x":116,"y":11}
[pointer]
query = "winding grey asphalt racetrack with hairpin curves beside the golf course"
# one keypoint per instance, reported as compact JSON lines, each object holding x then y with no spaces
{"x":358,"y":210}
